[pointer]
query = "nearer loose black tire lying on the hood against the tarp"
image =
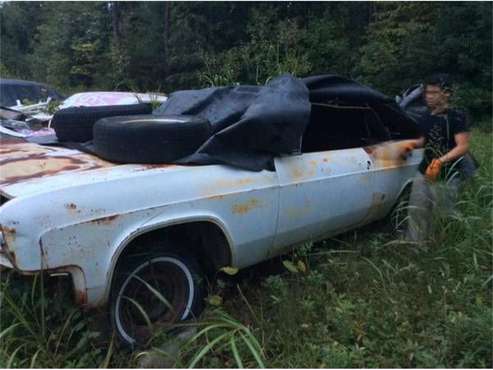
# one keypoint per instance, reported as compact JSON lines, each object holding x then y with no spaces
{"x":149,"y":138}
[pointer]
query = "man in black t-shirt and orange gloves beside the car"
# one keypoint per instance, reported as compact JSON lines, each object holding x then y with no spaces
{"x":446,"y":141}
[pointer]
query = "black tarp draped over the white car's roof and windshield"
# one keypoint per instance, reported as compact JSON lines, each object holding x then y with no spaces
{"x":253,"y":124}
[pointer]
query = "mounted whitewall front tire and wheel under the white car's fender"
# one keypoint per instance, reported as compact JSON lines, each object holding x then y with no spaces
{"x":176,"y":278}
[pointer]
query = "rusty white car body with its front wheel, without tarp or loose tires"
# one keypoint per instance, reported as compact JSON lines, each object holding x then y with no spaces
{"x":141,"y":238}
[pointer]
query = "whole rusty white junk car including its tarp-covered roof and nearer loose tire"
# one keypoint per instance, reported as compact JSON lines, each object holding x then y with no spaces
{"x":274,"y":166}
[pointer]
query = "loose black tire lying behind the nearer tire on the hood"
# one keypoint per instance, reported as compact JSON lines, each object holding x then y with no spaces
{"x":75,"y":124}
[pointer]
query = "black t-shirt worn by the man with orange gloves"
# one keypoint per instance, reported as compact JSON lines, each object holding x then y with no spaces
{"x":439,"y":131}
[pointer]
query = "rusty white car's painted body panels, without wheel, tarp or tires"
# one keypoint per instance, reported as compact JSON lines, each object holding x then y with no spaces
{"x":67,"y":211}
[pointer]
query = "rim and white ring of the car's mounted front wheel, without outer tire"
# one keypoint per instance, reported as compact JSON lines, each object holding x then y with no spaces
{"x":143,"y":290}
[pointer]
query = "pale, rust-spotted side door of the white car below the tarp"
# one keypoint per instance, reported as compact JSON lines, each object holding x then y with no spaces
{"x":321,"y":193}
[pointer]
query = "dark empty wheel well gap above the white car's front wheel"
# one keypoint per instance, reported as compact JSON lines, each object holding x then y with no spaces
{"x":204,"y":240}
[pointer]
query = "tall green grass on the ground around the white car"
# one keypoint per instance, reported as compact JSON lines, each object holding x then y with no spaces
{"x":361,"y":300}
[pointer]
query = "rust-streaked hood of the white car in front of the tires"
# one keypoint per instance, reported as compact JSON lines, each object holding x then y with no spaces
{"x":29,"y":168}
